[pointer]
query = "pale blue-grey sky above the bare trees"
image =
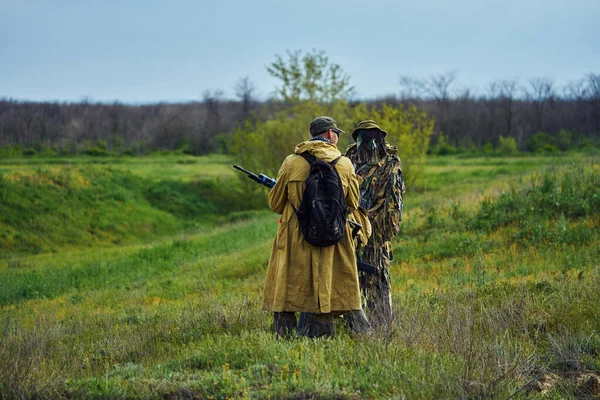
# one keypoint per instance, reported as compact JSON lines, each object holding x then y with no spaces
{"x":143,"y":51}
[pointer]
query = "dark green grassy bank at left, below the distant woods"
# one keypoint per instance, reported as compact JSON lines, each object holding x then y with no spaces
{"x":70,"y":203}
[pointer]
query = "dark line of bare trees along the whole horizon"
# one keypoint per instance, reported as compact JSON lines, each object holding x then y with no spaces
{"x":566,"y":116}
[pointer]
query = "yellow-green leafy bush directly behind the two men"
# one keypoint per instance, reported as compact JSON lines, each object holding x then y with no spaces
{"x":262,"y":146}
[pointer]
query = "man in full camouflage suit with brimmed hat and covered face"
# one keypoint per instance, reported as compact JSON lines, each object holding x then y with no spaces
{"x":381,"y":191}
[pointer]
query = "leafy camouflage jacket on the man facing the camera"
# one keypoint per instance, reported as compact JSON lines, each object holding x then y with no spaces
{"x":381,"y":192}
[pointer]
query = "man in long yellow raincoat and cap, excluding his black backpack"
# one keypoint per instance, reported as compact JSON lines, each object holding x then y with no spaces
{"x":322,"y":281}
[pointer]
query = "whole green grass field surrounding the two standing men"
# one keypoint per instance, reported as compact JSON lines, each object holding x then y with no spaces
{"x":142,"y":278}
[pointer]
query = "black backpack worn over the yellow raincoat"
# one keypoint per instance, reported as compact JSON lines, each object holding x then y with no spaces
{"x":322,"y":212}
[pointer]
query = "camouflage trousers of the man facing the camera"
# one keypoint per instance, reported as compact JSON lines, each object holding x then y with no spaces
{"x":376,"y":287}
